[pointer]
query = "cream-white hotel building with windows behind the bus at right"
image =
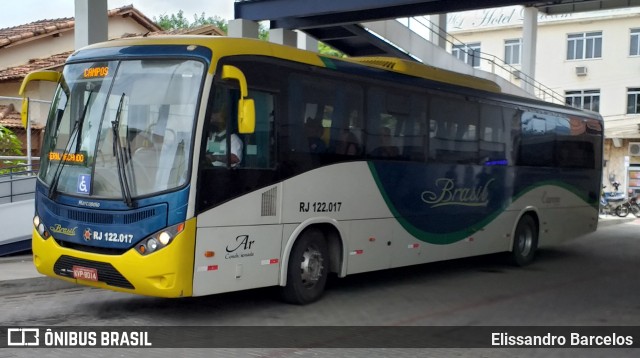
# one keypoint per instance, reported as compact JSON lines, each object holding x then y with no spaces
{"x":591,"y":59}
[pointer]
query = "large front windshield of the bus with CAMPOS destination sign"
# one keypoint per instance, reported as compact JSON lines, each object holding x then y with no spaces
{"x":121,"y":129}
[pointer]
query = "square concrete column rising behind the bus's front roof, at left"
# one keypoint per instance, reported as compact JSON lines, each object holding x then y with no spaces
{"x":91,"y":23}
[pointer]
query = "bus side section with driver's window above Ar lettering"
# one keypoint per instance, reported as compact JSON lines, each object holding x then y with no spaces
{"x":238,"y":239}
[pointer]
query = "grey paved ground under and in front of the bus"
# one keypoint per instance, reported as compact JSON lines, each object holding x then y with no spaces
{"x":426,"y":296}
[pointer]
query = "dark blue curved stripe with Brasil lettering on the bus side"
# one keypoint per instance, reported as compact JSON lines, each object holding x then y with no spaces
{"x":442,"y":204}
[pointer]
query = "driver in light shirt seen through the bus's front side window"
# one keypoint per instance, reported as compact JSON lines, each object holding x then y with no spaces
{"x":217,"y":142}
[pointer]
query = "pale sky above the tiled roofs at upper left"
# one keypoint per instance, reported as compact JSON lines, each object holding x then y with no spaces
{"x":26,"y":11}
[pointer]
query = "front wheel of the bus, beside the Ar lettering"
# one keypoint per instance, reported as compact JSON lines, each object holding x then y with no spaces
{"x":307,"y":269}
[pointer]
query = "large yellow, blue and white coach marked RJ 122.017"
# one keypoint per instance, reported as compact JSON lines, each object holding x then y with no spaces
{"x":343,"y":166}
